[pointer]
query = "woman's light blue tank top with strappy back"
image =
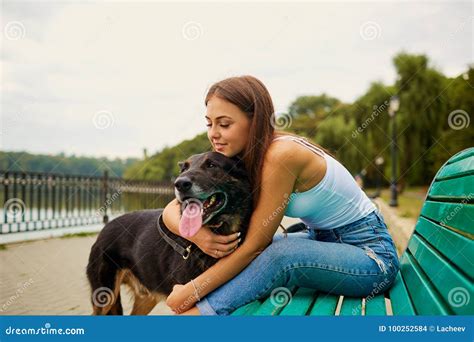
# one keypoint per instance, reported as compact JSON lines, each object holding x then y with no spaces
{"x":335,"y":201}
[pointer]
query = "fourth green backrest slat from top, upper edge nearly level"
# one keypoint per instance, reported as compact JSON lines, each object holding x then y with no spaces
{"x":456,"y":215}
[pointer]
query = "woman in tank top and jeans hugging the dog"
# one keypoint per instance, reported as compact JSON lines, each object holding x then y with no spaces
{"x":346,"y":250}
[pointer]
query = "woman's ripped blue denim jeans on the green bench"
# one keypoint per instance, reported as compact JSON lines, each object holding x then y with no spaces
{"x":355,"y":260}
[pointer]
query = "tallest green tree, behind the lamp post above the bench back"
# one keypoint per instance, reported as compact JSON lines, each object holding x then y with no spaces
{"x":422,"y":101}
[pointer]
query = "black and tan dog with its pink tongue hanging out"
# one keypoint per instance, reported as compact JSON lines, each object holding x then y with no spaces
{"x":138,"y":250}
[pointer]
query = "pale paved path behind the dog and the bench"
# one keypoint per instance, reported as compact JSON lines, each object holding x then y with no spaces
{"x":47,"y":277}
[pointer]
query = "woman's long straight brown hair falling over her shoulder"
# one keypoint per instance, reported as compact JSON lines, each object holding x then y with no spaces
{"x":252,"y":97}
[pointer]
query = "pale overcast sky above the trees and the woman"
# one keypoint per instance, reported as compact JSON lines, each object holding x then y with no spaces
{"x":110,"y":78}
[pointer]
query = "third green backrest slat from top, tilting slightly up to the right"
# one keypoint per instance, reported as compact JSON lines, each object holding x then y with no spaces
{"x":458,"y":189}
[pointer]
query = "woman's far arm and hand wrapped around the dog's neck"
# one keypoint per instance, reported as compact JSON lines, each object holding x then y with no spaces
{"x":205,"y":239}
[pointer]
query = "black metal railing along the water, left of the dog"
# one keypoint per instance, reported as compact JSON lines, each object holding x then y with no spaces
{"x":35,"y":201}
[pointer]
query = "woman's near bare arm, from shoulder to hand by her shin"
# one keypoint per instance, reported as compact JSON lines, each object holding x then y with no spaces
{"x":279,"y":173}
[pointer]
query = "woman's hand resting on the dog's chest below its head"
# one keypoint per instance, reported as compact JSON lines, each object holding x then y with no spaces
{"x":215,"y":245}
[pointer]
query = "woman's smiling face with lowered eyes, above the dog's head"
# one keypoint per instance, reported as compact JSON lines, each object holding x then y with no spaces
{"x":227,"y":126}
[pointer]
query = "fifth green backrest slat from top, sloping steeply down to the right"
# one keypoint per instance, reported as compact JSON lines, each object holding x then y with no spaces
{"x":455,"y":247}
